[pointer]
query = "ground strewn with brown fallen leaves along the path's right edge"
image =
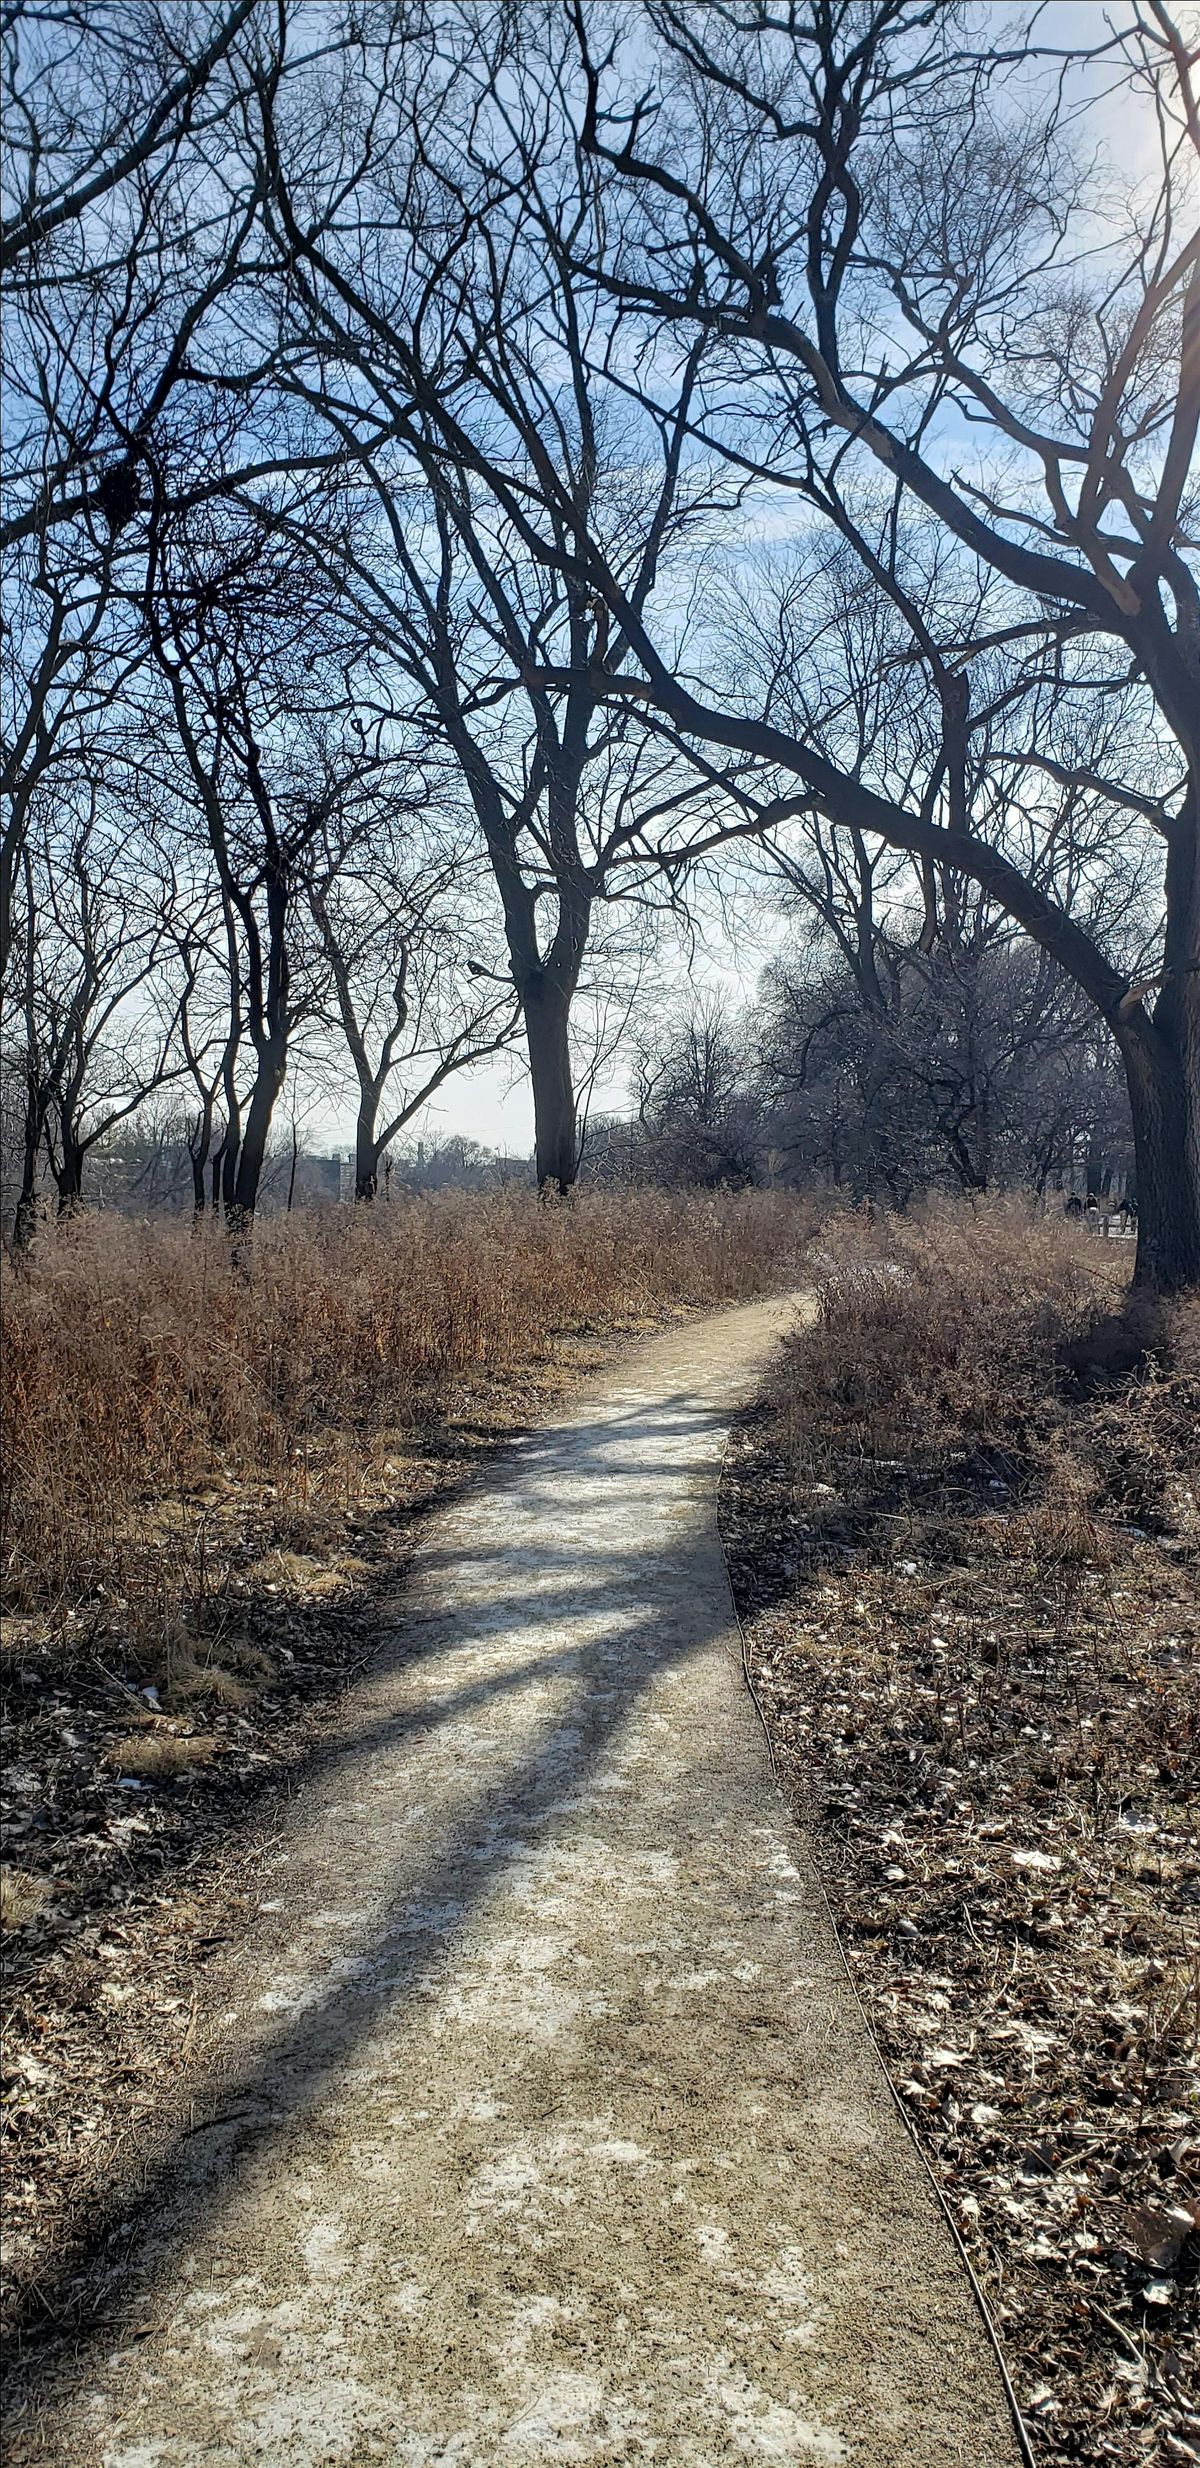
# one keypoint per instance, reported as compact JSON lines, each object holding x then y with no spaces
{"x":999,"y":1771}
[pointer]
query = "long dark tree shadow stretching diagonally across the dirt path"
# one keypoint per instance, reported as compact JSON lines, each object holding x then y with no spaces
{"x":581,"y":1697}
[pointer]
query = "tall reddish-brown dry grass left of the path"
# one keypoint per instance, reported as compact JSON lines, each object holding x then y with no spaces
{"x":147,"y":1381}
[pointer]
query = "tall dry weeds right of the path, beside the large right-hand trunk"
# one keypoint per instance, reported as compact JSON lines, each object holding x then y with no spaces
{"x":954,"y":1336}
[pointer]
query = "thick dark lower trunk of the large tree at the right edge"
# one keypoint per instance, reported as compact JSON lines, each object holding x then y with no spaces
{"x":1167,"y":1159}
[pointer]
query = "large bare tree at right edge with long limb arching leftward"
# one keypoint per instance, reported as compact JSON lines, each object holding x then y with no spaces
{"x":888,"y":241}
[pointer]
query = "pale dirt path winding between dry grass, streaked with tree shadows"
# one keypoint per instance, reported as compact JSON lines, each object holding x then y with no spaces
{"x":547,"y":2129}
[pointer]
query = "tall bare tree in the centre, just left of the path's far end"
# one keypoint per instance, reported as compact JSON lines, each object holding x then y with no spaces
{"x":451,"y":357}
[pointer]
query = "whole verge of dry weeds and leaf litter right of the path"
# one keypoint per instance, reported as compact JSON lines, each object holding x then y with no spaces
{"x":972,"y":1596}
